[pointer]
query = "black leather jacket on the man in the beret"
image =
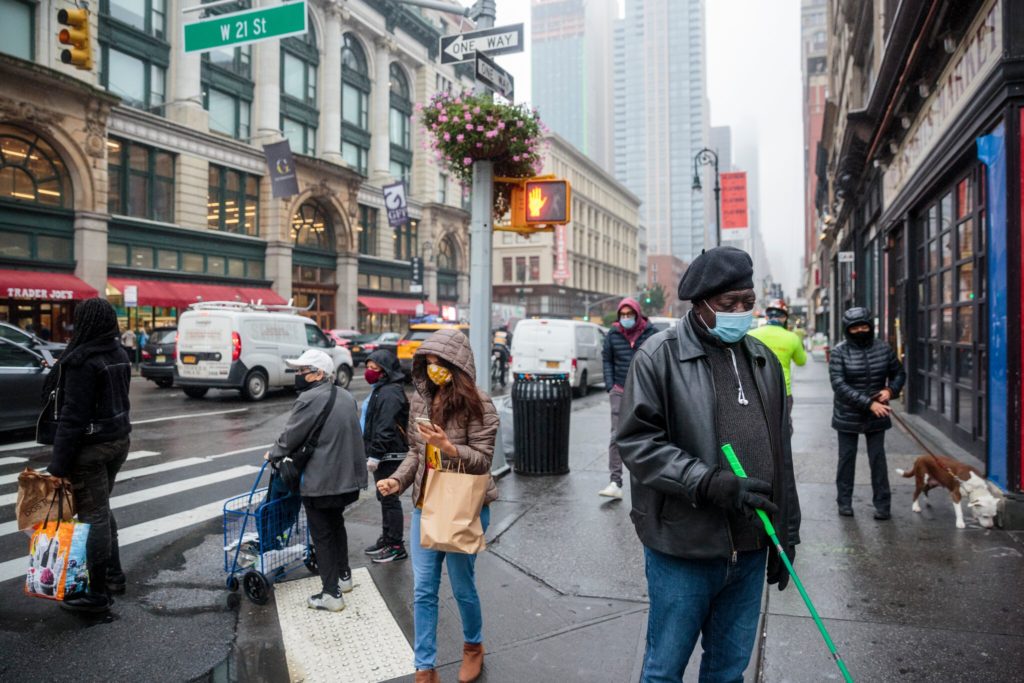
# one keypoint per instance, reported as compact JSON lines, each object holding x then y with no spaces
{"x":668,"y":440}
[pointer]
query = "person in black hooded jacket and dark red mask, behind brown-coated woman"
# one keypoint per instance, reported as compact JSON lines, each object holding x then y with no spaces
{"x":386,"y":417}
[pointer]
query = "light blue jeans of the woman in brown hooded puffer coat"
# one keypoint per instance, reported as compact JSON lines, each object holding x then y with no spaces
{"x":428,"y":581}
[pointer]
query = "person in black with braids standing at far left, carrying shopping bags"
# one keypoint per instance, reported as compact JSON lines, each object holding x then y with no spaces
{"x":90,"y":422}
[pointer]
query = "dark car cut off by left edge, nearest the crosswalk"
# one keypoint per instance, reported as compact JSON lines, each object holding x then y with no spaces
{"x":23,"y":373}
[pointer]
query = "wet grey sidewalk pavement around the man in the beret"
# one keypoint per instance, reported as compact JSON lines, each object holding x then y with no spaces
{"x":565,"y":596}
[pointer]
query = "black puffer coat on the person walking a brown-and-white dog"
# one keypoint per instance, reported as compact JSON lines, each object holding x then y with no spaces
{"x":859,"y":373}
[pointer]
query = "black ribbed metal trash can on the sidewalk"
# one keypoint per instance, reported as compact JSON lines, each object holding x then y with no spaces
{"x":542,"y":406}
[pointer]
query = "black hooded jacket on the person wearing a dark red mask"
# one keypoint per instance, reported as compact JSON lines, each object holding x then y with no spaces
{"x":388,"y":412}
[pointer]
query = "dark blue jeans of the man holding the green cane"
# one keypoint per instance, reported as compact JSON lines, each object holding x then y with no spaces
{"x":711,"y":597}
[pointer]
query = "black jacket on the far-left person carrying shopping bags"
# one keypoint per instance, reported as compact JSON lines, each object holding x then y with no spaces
{"x":93,"y":401}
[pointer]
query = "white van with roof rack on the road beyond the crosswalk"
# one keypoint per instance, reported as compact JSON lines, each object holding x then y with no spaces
{"x":229,"y":346}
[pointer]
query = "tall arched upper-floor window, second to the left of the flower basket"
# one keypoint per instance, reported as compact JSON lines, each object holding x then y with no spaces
{"x":355,"y":105}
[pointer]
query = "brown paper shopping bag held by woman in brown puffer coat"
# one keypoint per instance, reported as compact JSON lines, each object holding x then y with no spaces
{"x":451,"y":519}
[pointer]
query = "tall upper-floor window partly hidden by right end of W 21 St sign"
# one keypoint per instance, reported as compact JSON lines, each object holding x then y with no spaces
{"x":300,"y":114}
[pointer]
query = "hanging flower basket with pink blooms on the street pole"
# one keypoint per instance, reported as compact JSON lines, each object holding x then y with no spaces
{"x":464,"y":129}
